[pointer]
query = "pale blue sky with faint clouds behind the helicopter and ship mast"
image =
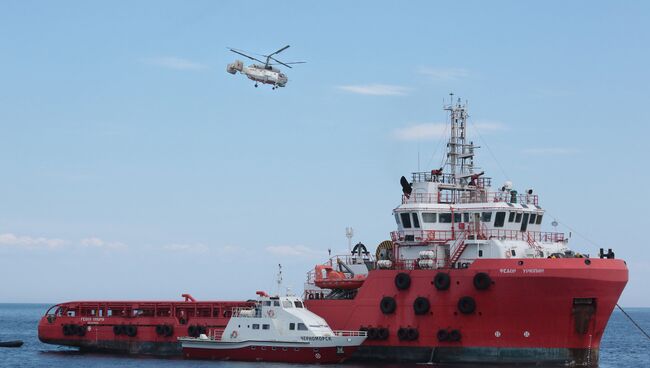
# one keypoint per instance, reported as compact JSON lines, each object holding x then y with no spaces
{"x":134,"y":166}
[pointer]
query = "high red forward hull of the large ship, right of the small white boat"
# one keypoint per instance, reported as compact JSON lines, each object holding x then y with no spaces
{"x":529,"y":307}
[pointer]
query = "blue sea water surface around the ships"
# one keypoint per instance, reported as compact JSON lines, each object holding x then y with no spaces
{"x":622,"y":346}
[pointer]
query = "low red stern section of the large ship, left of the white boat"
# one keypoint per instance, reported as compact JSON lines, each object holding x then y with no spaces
{"x":182,"y":319}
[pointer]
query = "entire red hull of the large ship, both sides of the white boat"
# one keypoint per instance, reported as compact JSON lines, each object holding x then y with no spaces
{"x":521,"y":299}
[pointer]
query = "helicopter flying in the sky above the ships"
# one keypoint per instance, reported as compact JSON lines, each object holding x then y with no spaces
{"x":263,"y":73}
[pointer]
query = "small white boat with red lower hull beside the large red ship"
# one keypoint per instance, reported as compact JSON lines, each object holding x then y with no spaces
{"x":275,"y":329}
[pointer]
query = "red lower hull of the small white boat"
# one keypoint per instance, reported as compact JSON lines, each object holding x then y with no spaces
{"x":268,"y":354}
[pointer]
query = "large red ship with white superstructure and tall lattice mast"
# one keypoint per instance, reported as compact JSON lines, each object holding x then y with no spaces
{"x":468,"y":276}
